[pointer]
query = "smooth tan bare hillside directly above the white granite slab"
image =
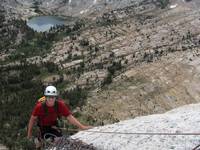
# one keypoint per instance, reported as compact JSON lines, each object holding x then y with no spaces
{"x":147,"y":89}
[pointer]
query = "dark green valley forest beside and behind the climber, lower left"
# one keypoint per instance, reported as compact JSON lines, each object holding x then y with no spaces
{"x":20,"y":88}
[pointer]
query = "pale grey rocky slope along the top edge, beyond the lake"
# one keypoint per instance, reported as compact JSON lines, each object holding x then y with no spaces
{"x":25,"y":8}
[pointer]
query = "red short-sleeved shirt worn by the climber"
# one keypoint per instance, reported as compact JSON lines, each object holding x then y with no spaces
{"x":49,"y":119}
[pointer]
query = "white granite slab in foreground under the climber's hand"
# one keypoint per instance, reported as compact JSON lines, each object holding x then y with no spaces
{"x":178,"y":121}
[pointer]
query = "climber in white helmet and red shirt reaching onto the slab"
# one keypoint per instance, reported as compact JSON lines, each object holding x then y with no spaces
{"x":46,"y":112}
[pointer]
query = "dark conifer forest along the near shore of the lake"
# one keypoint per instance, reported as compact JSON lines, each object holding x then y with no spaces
{"x":24,"y":42}
